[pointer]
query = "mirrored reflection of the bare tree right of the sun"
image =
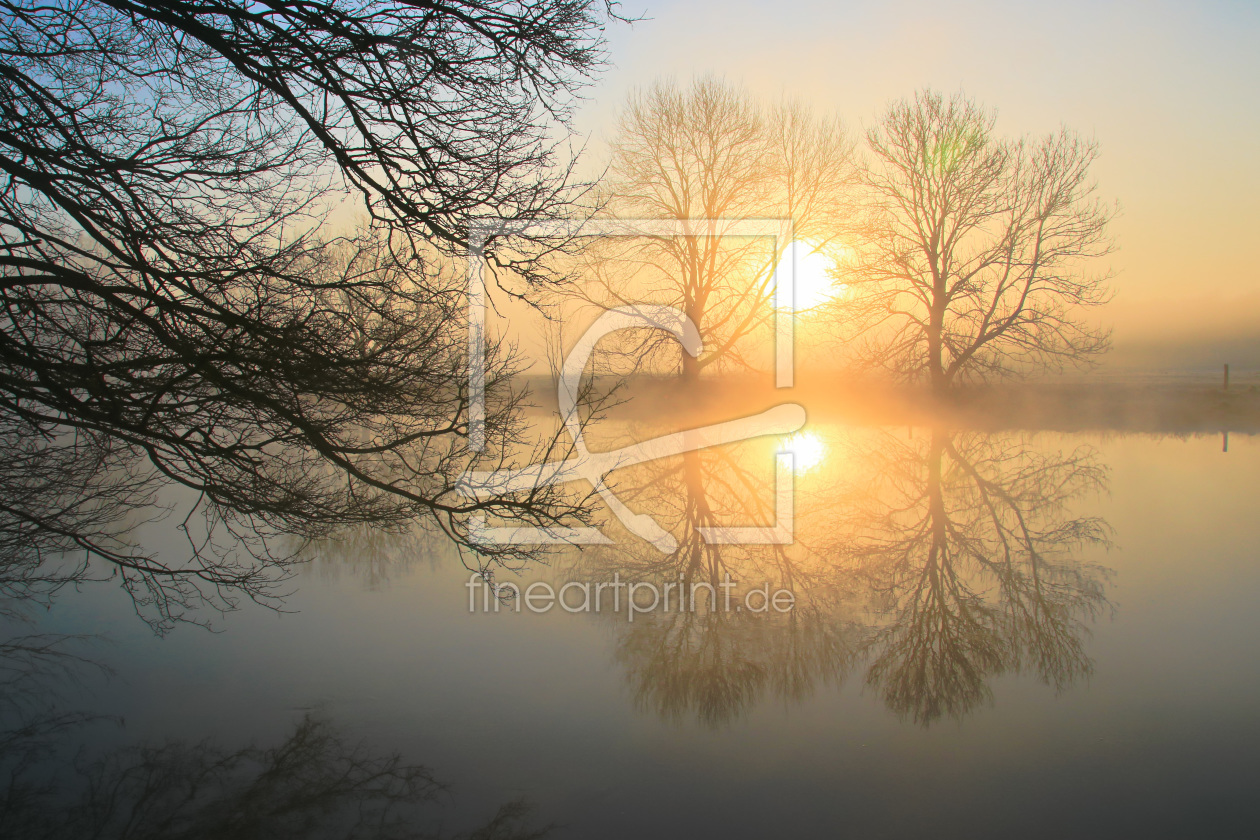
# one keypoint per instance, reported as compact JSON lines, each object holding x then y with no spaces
{"x":967,"y":542}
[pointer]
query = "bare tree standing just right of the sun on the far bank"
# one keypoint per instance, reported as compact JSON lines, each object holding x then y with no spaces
{"x":972,"y":249}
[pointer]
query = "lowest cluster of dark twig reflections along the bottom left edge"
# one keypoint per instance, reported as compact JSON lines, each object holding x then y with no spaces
{"x":314,"y":785}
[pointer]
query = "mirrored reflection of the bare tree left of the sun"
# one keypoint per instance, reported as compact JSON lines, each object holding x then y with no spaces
{"x":707,"y":661}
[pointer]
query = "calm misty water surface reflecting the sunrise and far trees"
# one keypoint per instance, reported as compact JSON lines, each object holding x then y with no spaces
{"x":996,"y":635}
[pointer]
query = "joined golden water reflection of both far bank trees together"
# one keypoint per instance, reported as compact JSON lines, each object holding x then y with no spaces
{"x":933,"y":561}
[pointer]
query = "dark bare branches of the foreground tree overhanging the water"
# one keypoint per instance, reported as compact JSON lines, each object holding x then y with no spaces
{"x":172,"y":305}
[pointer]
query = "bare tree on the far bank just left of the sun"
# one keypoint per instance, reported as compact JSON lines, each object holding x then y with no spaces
{"x":710,"y":158}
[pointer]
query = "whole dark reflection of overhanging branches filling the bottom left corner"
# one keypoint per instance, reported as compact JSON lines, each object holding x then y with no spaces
{"x":316,"y":783}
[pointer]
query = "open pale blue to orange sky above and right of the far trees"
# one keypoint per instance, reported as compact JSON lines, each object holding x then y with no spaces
{"x":1171,"y":93}
